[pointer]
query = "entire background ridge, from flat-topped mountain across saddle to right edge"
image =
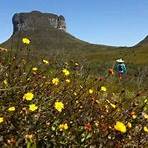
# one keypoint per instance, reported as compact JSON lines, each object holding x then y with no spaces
{"x":48,"y":34}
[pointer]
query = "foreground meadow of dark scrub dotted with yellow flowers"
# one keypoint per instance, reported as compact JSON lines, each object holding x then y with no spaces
{"x":51,"y":101}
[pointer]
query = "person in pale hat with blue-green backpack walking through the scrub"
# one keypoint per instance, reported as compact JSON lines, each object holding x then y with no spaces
{"x":120,"y":68}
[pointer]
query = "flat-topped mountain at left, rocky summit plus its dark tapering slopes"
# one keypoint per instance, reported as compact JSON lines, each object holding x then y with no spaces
{"x":46,"y":31}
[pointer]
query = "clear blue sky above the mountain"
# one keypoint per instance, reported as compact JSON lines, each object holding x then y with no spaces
{"x":108,"y":22}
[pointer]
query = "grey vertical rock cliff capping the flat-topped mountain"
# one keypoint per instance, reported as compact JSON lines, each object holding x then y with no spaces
{"x":36,"y":20}
